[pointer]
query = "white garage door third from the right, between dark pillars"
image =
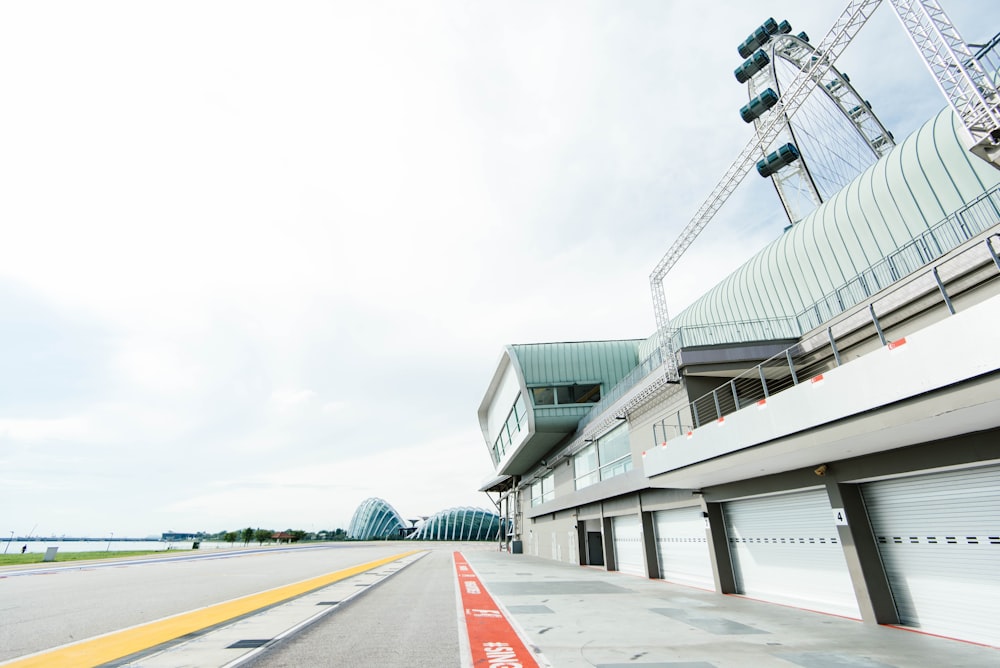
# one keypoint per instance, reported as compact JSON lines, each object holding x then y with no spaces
{"x":682,"y":547}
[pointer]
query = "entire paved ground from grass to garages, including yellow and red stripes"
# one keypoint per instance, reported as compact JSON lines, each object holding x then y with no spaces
{"x":445,"y":605}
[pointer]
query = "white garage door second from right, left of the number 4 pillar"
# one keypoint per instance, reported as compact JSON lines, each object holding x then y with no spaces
{"x":785,"y":549}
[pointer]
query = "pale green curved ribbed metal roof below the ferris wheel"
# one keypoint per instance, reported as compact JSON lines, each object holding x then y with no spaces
{"x":923,"y":180}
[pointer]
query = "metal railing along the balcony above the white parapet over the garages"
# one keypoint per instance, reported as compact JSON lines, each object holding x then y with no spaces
{"x":801,"y":364}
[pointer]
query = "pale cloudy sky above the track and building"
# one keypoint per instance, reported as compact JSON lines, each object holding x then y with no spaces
{"x":259,"y":260}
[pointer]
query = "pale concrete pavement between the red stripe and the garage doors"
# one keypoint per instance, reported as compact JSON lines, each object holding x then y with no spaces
{"x":583,"y":616}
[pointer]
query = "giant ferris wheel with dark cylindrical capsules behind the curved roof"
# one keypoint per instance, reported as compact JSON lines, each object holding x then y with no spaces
{"x":833,"y":136}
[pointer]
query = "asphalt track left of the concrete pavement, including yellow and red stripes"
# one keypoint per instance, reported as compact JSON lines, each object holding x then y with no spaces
{"x":255,"y":606}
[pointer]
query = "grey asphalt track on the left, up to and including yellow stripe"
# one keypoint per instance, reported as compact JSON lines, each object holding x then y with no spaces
{"x":99,"y":612}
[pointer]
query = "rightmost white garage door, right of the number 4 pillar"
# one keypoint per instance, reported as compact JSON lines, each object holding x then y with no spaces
{"x":939,"y":539}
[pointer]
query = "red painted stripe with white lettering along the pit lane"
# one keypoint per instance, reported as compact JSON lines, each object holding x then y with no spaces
{"x":492,"y":639}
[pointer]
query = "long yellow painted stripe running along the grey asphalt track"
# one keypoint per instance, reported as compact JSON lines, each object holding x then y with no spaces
{"x":118,"y":644}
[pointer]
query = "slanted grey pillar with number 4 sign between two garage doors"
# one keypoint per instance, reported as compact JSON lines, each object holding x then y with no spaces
{"x":871,"y":586}
